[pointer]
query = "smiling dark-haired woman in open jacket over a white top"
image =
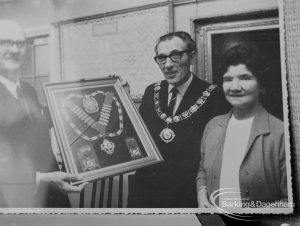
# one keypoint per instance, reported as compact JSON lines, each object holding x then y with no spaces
{"x":243,"y":152}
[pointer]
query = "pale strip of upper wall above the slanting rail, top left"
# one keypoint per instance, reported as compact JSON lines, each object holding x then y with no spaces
{"x":48,"y":11}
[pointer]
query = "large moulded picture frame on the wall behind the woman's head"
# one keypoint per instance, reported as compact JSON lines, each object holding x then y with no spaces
{"x":205,"y":28}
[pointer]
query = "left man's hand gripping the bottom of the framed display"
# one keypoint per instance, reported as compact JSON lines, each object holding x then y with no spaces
{"x":61,"y":181}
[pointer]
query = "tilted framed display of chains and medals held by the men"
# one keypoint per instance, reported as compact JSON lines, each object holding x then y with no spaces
{"x":98,"y":128}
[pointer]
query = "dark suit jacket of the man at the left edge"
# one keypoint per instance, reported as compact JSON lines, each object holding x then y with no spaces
{"x":25,"y":148}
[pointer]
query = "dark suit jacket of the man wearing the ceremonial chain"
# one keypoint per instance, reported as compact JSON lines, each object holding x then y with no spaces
{"x":171,"y":184}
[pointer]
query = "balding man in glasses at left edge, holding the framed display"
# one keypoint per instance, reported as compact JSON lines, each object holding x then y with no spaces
{"x":29,"y":174}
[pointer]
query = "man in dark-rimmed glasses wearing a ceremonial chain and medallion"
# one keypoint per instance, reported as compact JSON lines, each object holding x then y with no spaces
{"x":175,"y":112}
